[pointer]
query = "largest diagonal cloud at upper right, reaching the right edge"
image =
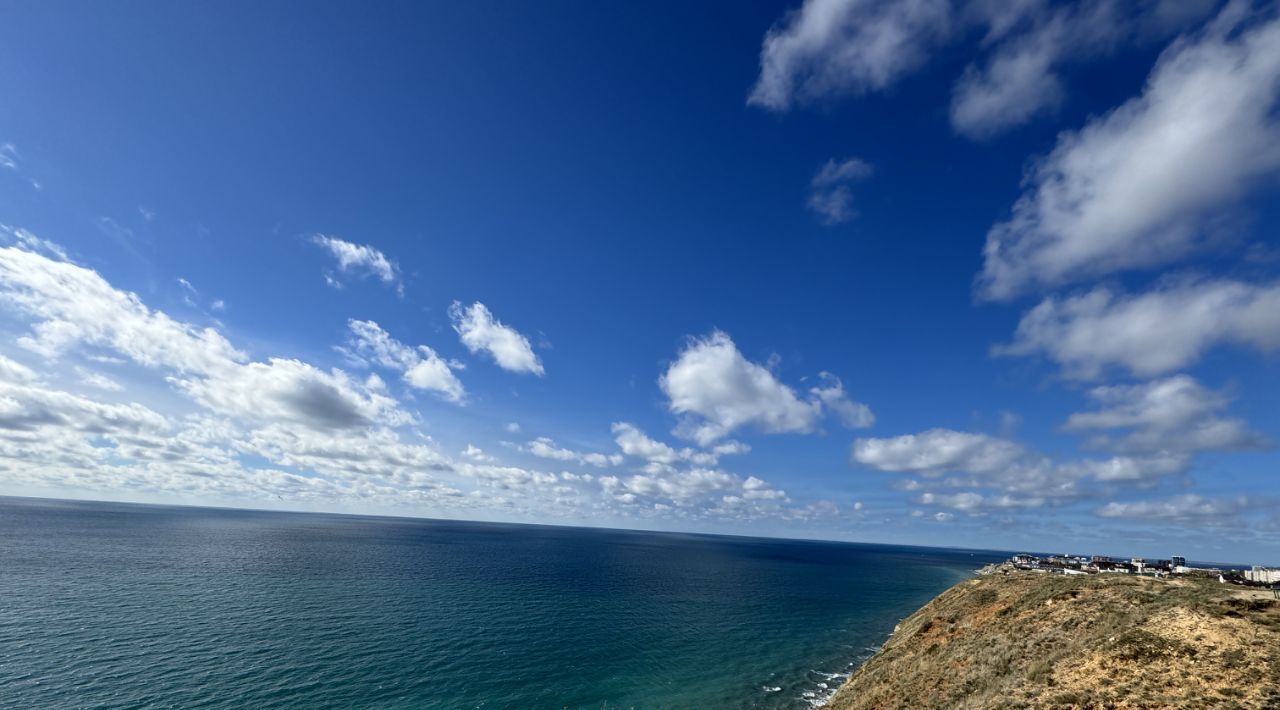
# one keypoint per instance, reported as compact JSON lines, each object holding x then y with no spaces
{"x":1145,"y":184}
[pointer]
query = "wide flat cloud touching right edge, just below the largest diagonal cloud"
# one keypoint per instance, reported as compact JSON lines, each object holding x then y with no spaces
{"x":1149,"y":335}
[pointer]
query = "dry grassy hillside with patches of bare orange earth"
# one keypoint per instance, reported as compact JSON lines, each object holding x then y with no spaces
{"x":1027,"y":640}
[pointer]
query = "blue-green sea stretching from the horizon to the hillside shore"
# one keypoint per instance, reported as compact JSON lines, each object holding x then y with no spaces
{"x":112,"y":606}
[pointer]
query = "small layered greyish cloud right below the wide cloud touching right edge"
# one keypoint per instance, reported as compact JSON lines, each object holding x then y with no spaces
{"x":1171,"y":415}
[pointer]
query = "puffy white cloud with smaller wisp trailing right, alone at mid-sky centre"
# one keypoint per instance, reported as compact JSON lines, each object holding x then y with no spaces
{"x":719,"y":391}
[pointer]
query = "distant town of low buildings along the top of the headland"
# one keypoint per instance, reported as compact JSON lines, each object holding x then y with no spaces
{"x":1256,"y":576}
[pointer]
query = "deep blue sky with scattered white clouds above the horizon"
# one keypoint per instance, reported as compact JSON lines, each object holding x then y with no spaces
{"x":994,"y":274}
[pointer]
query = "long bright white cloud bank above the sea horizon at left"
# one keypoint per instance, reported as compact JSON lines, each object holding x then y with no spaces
{"x":319,"y":438}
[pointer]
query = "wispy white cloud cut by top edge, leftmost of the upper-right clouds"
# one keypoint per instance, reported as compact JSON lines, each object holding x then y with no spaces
{"x":831,"y":48}
